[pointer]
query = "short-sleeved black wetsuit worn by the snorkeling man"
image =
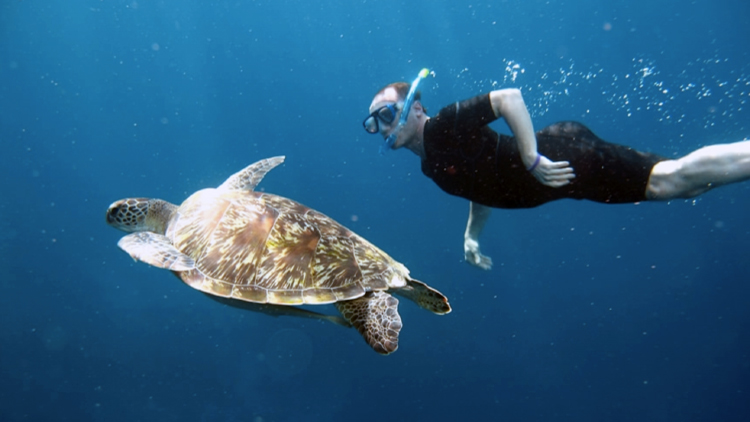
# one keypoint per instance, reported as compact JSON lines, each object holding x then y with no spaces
{"x":468,"y":159}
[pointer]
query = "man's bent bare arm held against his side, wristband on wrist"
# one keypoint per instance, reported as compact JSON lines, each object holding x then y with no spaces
{"x":508,"y":103}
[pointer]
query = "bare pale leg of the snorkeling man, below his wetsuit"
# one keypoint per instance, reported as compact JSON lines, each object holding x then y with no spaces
{"x":700,"y":171}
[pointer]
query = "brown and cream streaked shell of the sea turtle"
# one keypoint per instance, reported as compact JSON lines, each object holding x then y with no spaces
{"x":264,"y":248}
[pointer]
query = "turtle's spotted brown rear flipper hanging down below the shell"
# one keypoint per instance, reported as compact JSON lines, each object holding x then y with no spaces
{"x":375,"y":315}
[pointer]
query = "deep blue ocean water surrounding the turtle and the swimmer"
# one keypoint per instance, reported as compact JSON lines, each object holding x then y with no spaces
{"x":591,"y":313}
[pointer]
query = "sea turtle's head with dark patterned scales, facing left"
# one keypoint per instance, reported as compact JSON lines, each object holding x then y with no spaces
{"x":140,"y":214}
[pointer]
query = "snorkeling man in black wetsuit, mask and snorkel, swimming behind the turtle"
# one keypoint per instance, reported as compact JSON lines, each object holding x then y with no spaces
{"x":466,"y":158}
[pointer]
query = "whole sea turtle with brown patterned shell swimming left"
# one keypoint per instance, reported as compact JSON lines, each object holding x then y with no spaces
{"x":264,"y":252}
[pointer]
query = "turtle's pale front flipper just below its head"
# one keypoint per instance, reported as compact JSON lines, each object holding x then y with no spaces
{"x":155,"y":249}
